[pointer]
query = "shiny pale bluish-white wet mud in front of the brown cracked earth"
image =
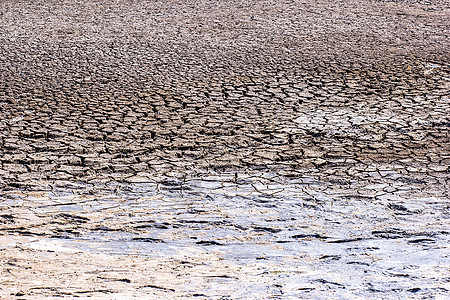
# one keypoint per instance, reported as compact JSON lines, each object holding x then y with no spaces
{"x":254,"y":236}
